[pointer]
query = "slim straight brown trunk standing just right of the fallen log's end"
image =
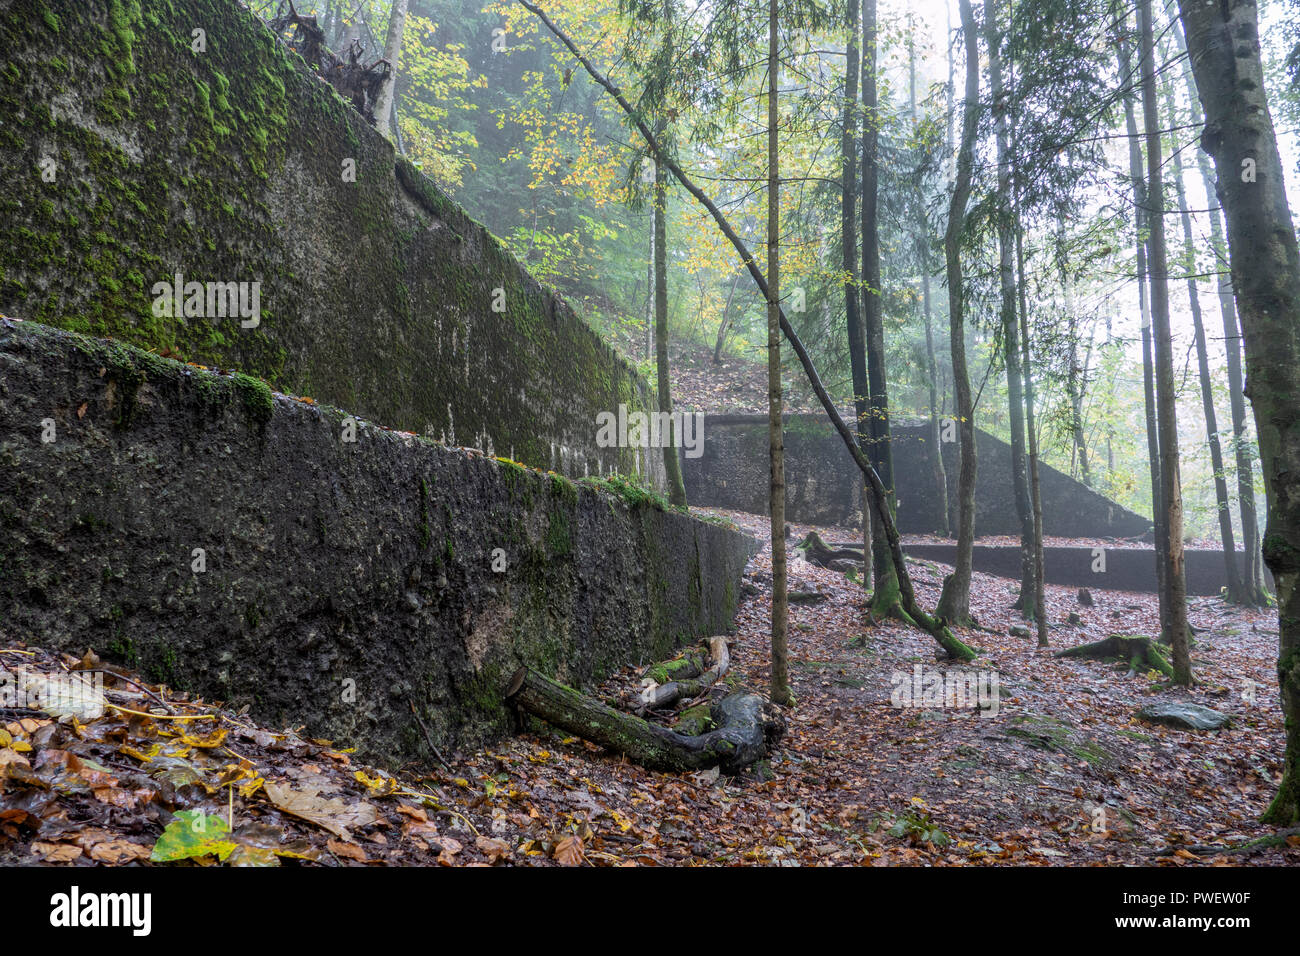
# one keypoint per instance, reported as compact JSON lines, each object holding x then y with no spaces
{"x":781,"y":682}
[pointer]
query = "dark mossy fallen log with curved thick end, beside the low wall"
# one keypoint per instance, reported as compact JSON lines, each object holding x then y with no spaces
{"x":747,"y":728}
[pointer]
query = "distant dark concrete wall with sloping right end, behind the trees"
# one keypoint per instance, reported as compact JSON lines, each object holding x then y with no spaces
{"x":824,"y":483}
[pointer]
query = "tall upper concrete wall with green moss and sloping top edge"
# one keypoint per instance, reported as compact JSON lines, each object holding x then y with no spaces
{"x":129,"y":158}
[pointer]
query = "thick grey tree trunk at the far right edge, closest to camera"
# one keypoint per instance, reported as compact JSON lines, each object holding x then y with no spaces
{"x":1224,"y":41}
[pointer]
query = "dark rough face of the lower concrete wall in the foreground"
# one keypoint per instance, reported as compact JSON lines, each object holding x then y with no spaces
{"x":327,"y":561}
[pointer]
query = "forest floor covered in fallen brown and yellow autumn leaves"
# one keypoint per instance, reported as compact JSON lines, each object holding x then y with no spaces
{"x":1063,"y":775}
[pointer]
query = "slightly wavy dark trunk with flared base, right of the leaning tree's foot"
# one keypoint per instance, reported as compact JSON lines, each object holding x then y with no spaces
{"x":956,"y":599}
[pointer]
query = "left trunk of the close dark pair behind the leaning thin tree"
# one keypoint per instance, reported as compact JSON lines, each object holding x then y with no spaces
{"x":850,"y":241}
